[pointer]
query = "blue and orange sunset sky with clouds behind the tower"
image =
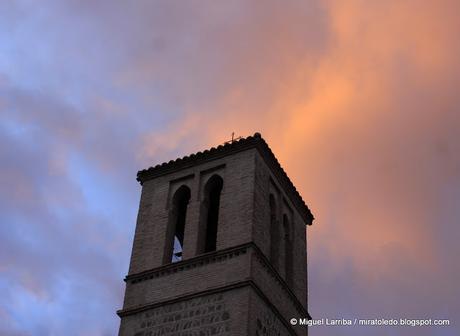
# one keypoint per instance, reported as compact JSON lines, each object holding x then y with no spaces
{"x":359,"y":100}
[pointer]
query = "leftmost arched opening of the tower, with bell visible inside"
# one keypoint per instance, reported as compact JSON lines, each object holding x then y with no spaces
{"x":176,"y":225}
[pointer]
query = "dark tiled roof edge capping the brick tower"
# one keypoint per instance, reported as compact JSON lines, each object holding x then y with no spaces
{"x":255,"y":141}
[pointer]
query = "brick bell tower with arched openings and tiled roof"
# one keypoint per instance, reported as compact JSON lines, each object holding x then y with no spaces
{"x":219,"y":247}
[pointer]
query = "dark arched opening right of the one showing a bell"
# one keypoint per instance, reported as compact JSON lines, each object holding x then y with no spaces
{"x":211,"y":202}
